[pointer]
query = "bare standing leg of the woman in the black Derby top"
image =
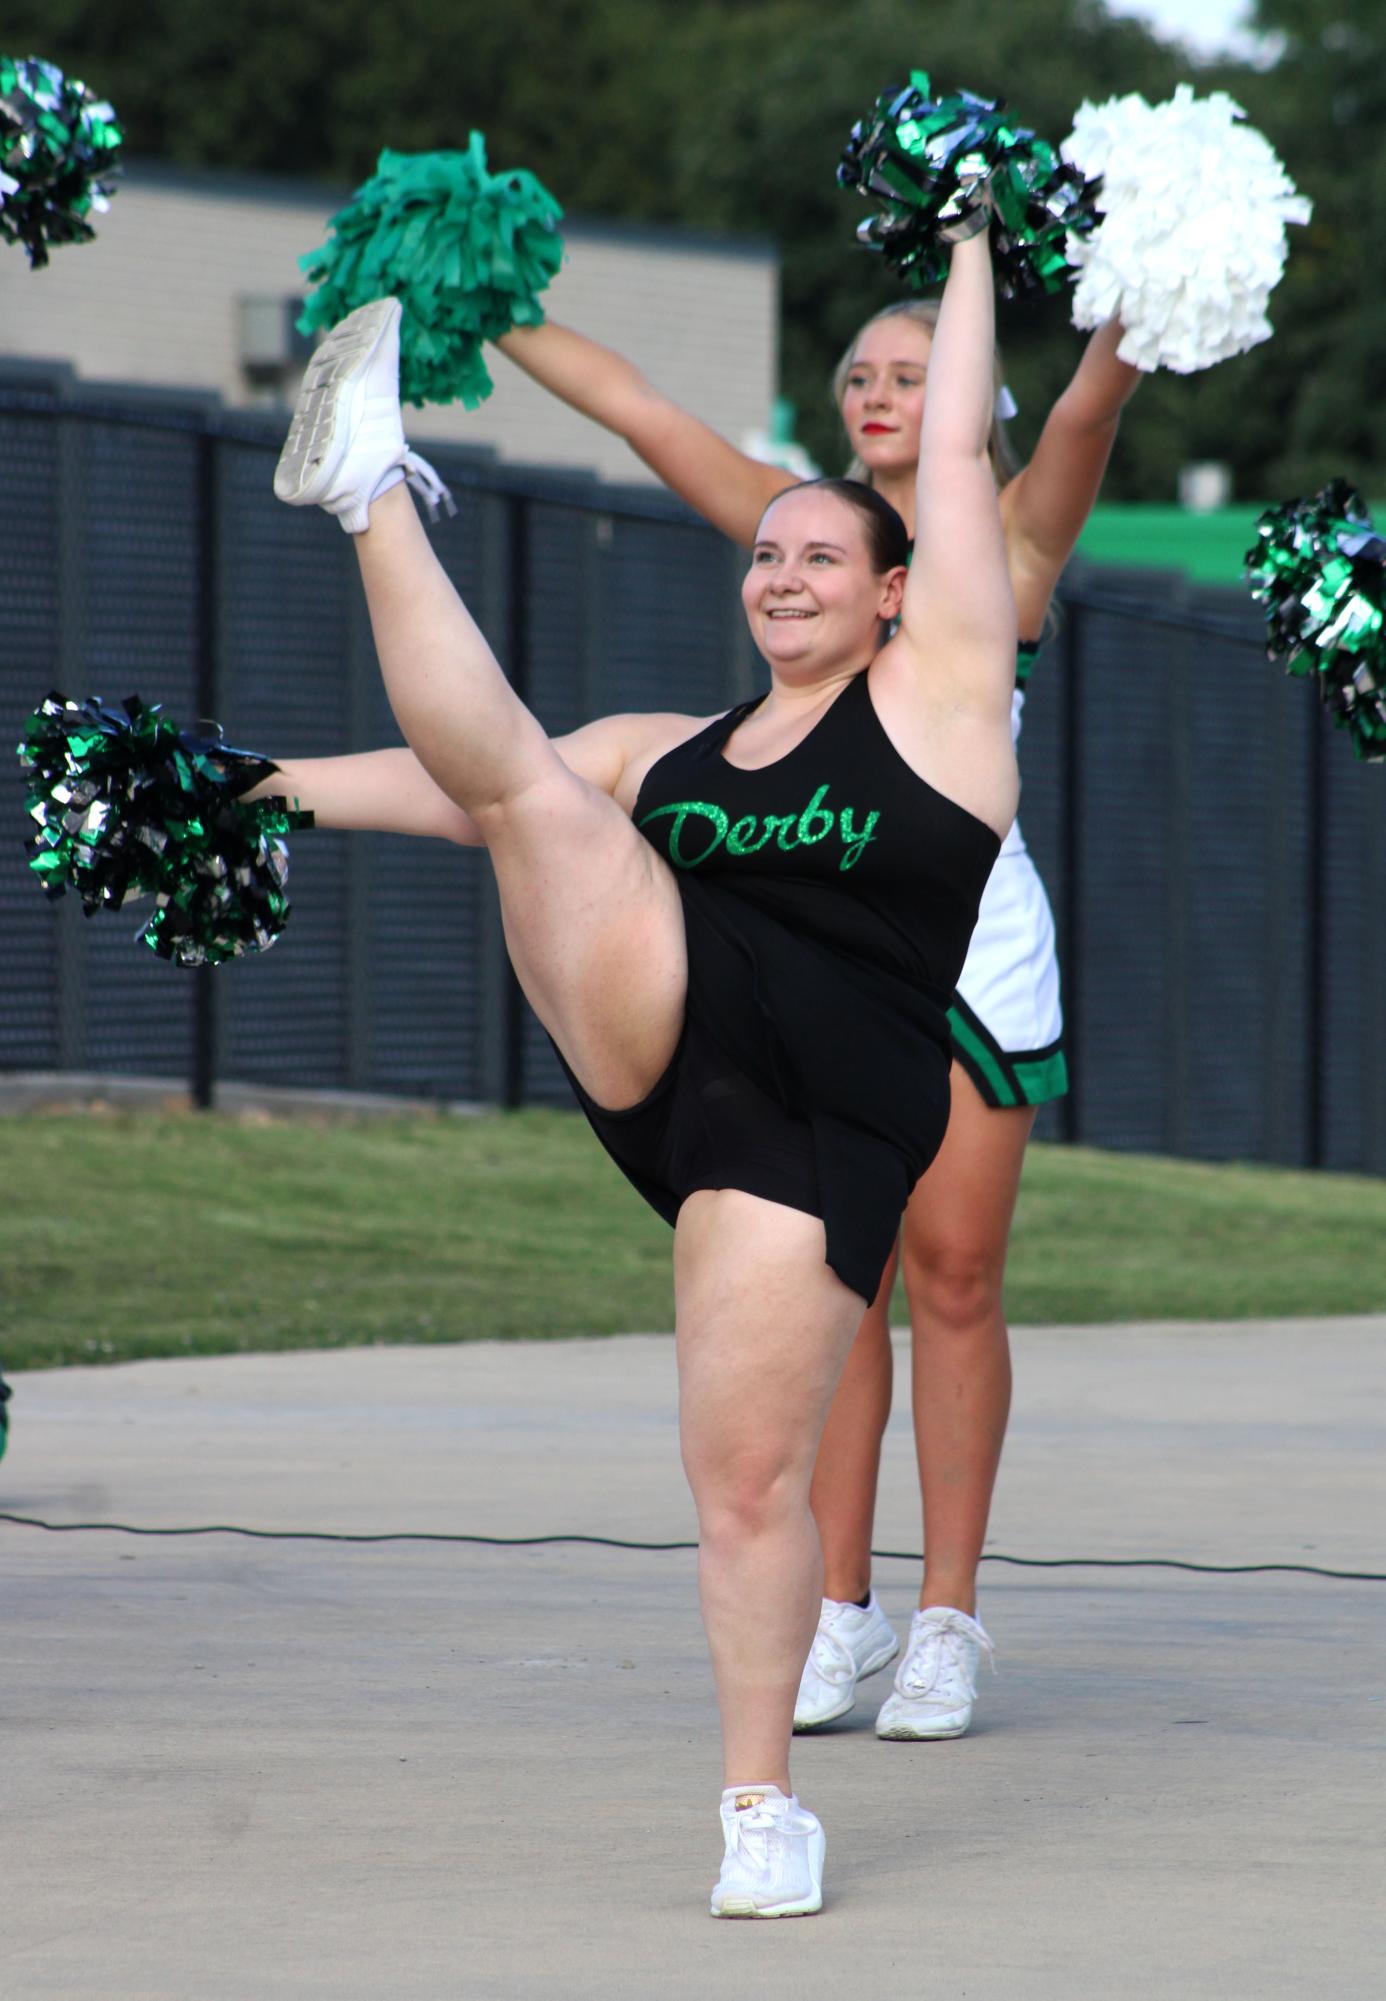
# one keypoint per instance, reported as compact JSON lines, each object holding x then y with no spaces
{"x":763,"y":1332}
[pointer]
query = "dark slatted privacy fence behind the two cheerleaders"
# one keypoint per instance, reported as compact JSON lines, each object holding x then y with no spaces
{"x":1215,"y":855}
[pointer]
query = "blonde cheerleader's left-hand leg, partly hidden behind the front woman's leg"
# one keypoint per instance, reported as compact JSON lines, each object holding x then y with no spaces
{"x":849,"y":1458}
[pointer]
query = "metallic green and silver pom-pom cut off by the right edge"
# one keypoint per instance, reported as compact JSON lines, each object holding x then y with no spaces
{"x":1319,"y":567}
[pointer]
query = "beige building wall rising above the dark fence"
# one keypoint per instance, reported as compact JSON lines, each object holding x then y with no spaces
{"x":155,"y":301}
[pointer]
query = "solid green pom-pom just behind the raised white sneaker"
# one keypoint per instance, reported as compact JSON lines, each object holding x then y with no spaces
{"x":465,"y":251}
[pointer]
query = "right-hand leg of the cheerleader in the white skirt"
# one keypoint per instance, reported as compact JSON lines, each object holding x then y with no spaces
{"x":955,"y":1264}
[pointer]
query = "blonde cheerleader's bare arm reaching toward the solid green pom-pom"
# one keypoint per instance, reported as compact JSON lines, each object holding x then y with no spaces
{"x":723,"y":485}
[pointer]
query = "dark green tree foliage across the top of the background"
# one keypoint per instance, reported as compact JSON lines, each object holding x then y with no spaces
{"x":731,"y":117}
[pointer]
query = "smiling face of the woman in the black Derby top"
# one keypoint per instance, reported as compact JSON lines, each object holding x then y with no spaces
{"x":813,"y":599}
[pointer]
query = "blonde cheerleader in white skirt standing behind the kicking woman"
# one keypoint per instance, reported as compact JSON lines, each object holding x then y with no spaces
{"x":1007,"y":1022}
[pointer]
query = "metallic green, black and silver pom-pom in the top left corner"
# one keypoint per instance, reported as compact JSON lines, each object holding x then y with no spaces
{"x":57,"y":147}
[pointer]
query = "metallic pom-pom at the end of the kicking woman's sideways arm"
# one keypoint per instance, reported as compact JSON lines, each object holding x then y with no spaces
{"x":131,"y":807}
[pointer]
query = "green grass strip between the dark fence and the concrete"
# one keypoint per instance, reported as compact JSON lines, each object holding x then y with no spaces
{"x":133,"y":1234}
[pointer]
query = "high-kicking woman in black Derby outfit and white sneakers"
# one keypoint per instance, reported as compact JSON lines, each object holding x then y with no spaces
{"x":741,"y":935}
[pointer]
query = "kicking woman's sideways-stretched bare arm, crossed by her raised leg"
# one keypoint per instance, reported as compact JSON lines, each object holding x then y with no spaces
{"x":391,"y":793}
